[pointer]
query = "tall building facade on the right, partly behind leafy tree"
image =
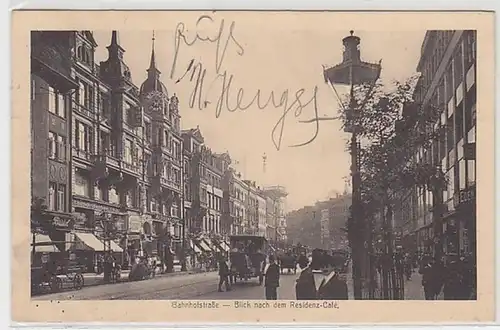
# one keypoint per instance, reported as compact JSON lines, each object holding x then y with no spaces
{"x":448,"y":82}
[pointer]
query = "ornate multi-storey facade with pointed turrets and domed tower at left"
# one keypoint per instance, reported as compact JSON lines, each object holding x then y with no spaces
{"x":120,"y":146}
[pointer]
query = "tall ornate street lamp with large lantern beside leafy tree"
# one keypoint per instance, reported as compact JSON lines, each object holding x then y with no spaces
{"x":352,"y":71}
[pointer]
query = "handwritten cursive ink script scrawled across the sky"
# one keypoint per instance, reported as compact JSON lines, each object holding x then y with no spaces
{"x":220,"y":89}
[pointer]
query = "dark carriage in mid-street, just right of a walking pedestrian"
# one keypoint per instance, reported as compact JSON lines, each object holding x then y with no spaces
{"x":247,"y":257}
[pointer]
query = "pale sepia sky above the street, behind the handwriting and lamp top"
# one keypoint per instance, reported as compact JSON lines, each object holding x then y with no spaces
{"x":269,"y":58}
